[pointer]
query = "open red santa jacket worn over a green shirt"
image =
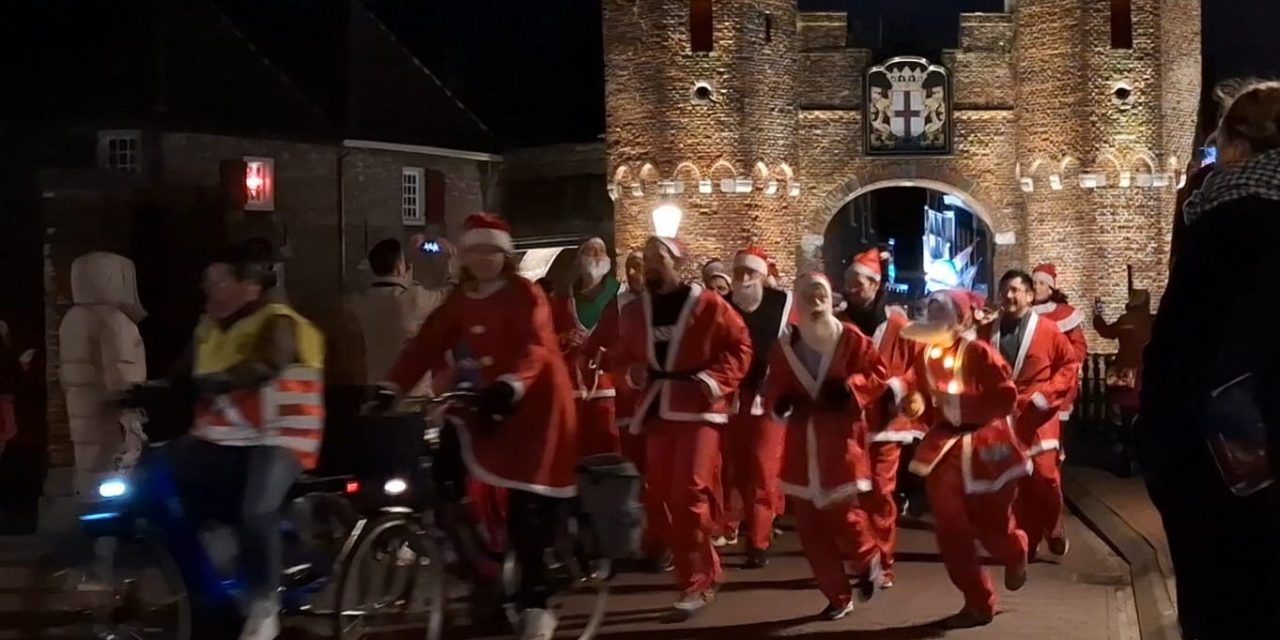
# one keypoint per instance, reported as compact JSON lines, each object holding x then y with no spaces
{"x":584,"y":356}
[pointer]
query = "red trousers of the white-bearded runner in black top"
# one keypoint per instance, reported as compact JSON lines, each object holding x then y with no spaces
{"x":753,"y":460}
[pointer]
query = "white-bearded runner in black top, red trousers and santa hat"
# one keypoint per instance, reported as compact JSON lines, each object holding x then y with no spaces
{"x":753,"y":441}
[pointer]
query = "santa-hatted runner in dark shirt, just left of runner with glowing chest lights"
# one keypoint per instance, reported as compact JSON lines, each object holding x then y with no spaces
{"x":890,"y":431}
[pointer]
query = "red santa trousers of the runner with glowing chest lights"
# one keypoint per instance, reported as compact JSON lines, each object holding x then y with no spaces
{"x":964,"y":519}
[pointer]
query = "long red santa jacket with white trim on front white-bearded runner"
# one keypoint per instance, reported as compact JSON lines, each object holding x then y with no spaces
{"x":824,"y":458}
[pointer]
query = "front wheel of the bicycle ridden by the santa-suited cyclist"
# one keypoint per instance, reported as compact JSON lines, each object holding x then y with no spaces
{"x":391,"y":580}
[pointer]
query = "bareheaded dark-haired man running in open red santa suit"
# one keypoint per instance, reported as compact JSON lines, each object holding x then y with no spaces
{"x":1046,"y":372}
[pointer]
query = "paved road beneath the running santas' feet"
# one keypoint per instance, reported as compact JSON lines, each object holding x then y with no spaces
{"x":1086,"y":597}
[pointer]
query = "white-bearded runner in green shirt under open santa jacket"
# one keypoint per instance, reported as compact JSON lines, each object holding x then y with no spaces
{"x":577,"y":316}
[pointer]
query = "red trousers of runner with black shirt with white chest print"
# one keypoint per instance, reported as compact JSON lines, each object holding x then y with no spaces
{"x":683,"y":486}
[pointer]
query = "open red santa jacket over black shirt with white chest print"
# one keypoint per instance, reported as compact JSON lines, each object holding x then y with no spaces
{"x":710,"y":344}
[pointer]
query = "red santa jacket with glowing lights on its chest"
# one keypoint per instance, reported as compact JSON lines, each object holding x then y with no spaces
{"x":970,"y":396}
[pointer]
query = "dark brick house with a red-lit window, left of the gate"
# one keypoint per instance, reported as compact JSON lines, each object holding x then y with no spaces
{"x":129,"y":140}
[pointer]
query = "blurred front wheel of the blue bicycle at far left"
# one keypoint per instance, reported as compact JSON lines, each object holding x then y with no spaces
{"x":132,"y":589}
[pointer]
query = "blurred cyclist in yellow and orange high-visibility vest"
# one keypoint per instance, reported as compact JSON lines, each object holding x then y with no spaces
{"x":257,"y":368}
